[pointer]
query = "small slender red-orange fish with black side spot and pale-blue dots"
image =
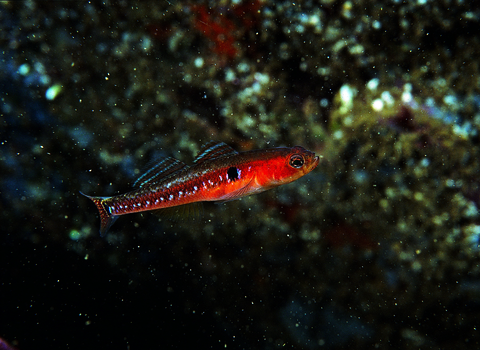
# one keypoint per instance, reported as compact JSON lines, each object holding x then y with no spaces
{"x":218,"y":173}
